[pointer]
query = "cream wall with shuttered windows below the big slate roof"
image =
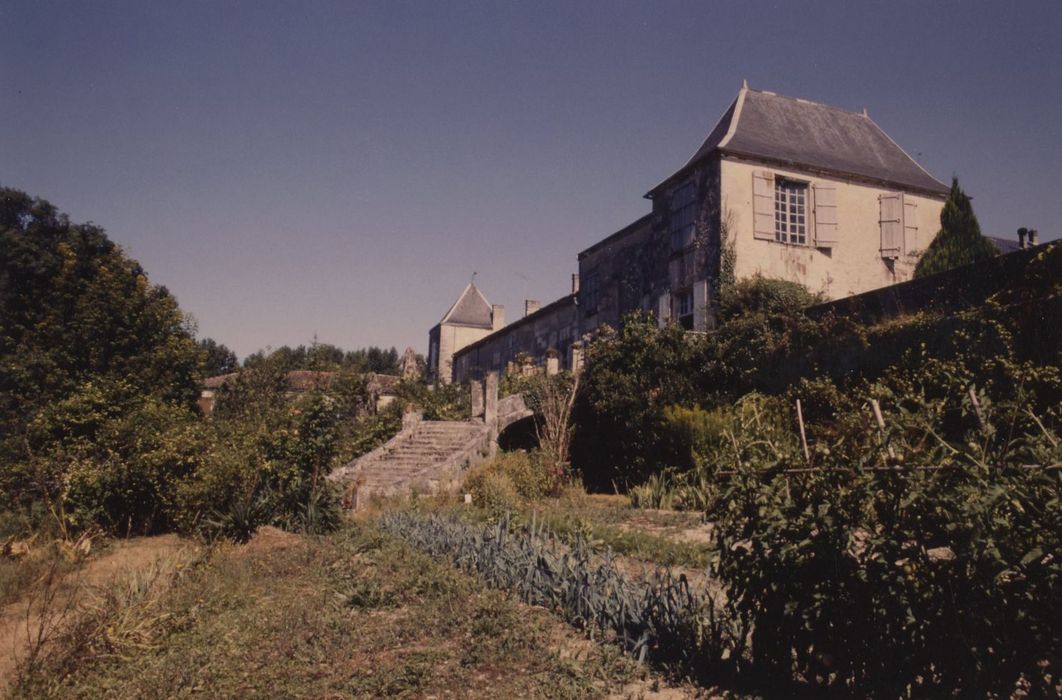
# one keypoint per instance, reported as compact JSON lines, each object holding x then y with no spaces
{"x":851,"y":267}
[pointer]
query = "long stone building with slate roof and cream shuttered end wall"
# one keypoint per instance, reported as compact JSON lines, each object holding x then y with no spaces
{"x":781,"y":187}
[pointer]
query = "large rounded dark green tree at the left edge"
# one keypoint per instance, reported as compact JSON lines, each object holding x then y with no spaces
{"x":90,"y":351}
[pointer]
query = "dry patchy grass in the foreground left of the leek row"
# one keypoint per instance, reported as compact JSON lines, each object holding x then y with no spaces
{"x":356,"y":614}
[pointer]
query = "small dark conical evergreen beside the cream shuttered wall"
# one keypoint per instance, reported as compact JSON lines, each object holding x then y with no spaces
{"x":960,"y":241}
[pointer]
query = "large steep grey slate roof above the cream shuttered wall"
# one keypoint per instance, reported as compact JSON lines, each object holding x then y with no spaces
{"x":764,"y":126}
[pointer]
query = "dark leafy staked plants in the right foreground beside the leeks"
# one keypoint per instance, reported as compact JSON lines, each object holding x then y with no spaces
{"x":865,"y":574}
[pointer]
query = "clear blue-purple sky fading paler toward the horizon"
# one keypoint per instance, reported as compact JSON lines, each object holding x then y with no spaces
{"x":338,"y":172}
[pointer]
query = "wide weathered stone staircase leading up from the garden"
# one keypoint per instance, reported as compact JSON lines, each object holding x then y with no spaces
{"x":426,"y":457}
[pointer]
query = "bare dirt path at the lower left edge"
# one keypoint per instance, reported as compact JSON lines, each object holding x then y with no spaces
{"x":24,"y":622}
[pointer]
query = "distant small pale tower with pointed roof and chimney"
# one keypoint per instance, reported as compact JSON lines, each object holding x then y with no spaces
{"x":469,"y":319}
